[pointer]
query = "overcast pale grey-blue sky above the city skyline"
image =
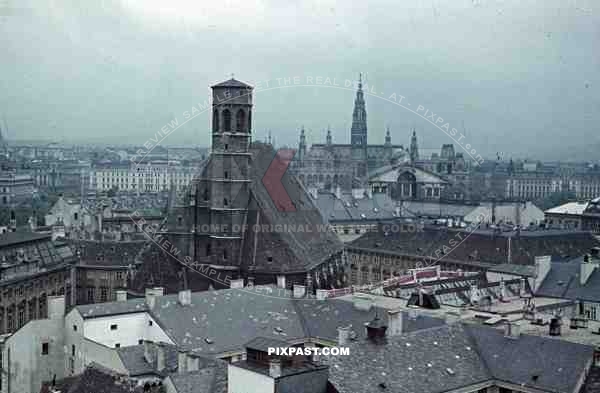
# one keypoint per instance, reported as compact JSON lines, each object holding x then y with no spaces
{"x":523,"y":76}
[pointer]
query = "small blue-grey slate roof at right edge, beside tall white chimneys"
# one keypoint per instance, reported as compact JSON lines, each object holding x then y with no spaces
{"x":562,"y":281}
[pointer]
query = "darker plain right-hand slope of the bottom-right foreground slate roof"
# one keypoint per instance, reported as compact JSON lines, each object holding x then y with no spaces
{"x":533,"y":361}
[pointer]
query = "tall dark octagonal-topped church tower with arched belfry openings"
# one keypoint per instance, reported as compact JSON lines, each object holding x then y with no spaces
{"x":228,"y":178}
